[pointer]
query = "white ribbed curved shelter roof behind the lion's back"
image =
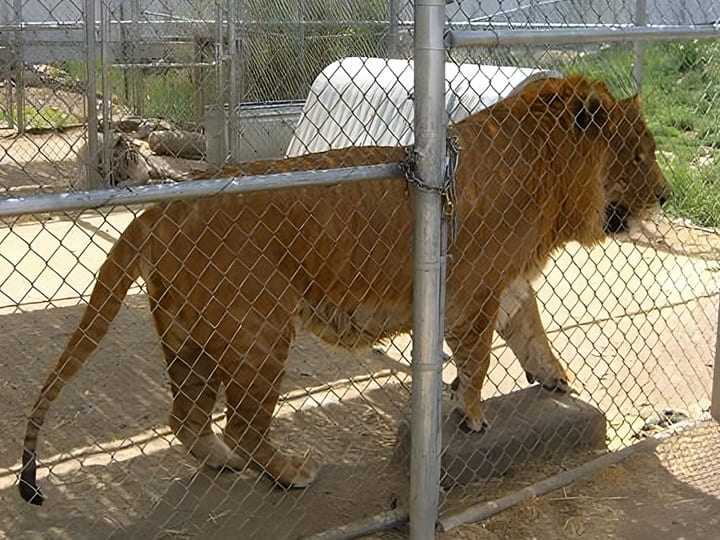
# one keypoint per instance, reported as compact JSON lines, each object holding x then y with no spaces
{"x":368,"y":101}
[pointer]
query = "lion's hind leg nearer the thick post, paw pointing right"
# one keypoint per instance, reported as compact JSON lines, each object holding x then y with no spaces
{"x":252,"y":392}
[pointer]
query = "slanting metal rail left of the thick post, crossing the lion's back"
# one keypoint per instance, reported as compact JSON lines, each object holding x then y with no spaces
{"x":85,"y":200}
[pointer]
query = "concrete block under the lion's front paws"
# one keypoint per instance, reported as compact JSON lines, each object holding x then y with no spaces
{"x":528,"y":424}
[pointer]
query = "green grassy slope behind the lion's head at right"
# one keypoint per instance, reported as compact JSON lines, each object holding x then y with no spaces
{"x":681,"y":95}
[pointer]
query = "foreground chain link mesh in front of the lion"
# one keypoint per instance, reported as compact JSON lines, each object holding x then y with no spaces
{"x":278,"y":339}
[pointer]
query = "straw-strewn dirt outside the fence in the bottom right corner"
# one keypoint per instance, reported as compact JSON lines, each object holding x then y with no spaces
{"x":671,"y":492}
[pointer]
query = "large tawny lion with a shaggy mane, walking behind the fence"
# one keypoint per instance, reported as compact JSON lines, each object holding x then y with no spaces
{"x":230,"y":277}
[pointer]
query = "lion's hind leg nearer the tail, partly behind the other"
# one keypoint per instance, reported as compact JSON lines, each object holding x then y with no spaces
{"x":194,"y":386}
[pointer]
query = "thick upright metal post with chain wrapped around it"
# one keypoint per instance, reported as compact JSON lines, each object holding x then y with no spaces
{"x":427,"y":275}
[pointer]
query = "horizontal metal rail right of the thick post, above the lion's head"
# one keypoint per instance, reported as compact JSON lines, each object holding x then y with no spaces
{"x":494,"y":38}
